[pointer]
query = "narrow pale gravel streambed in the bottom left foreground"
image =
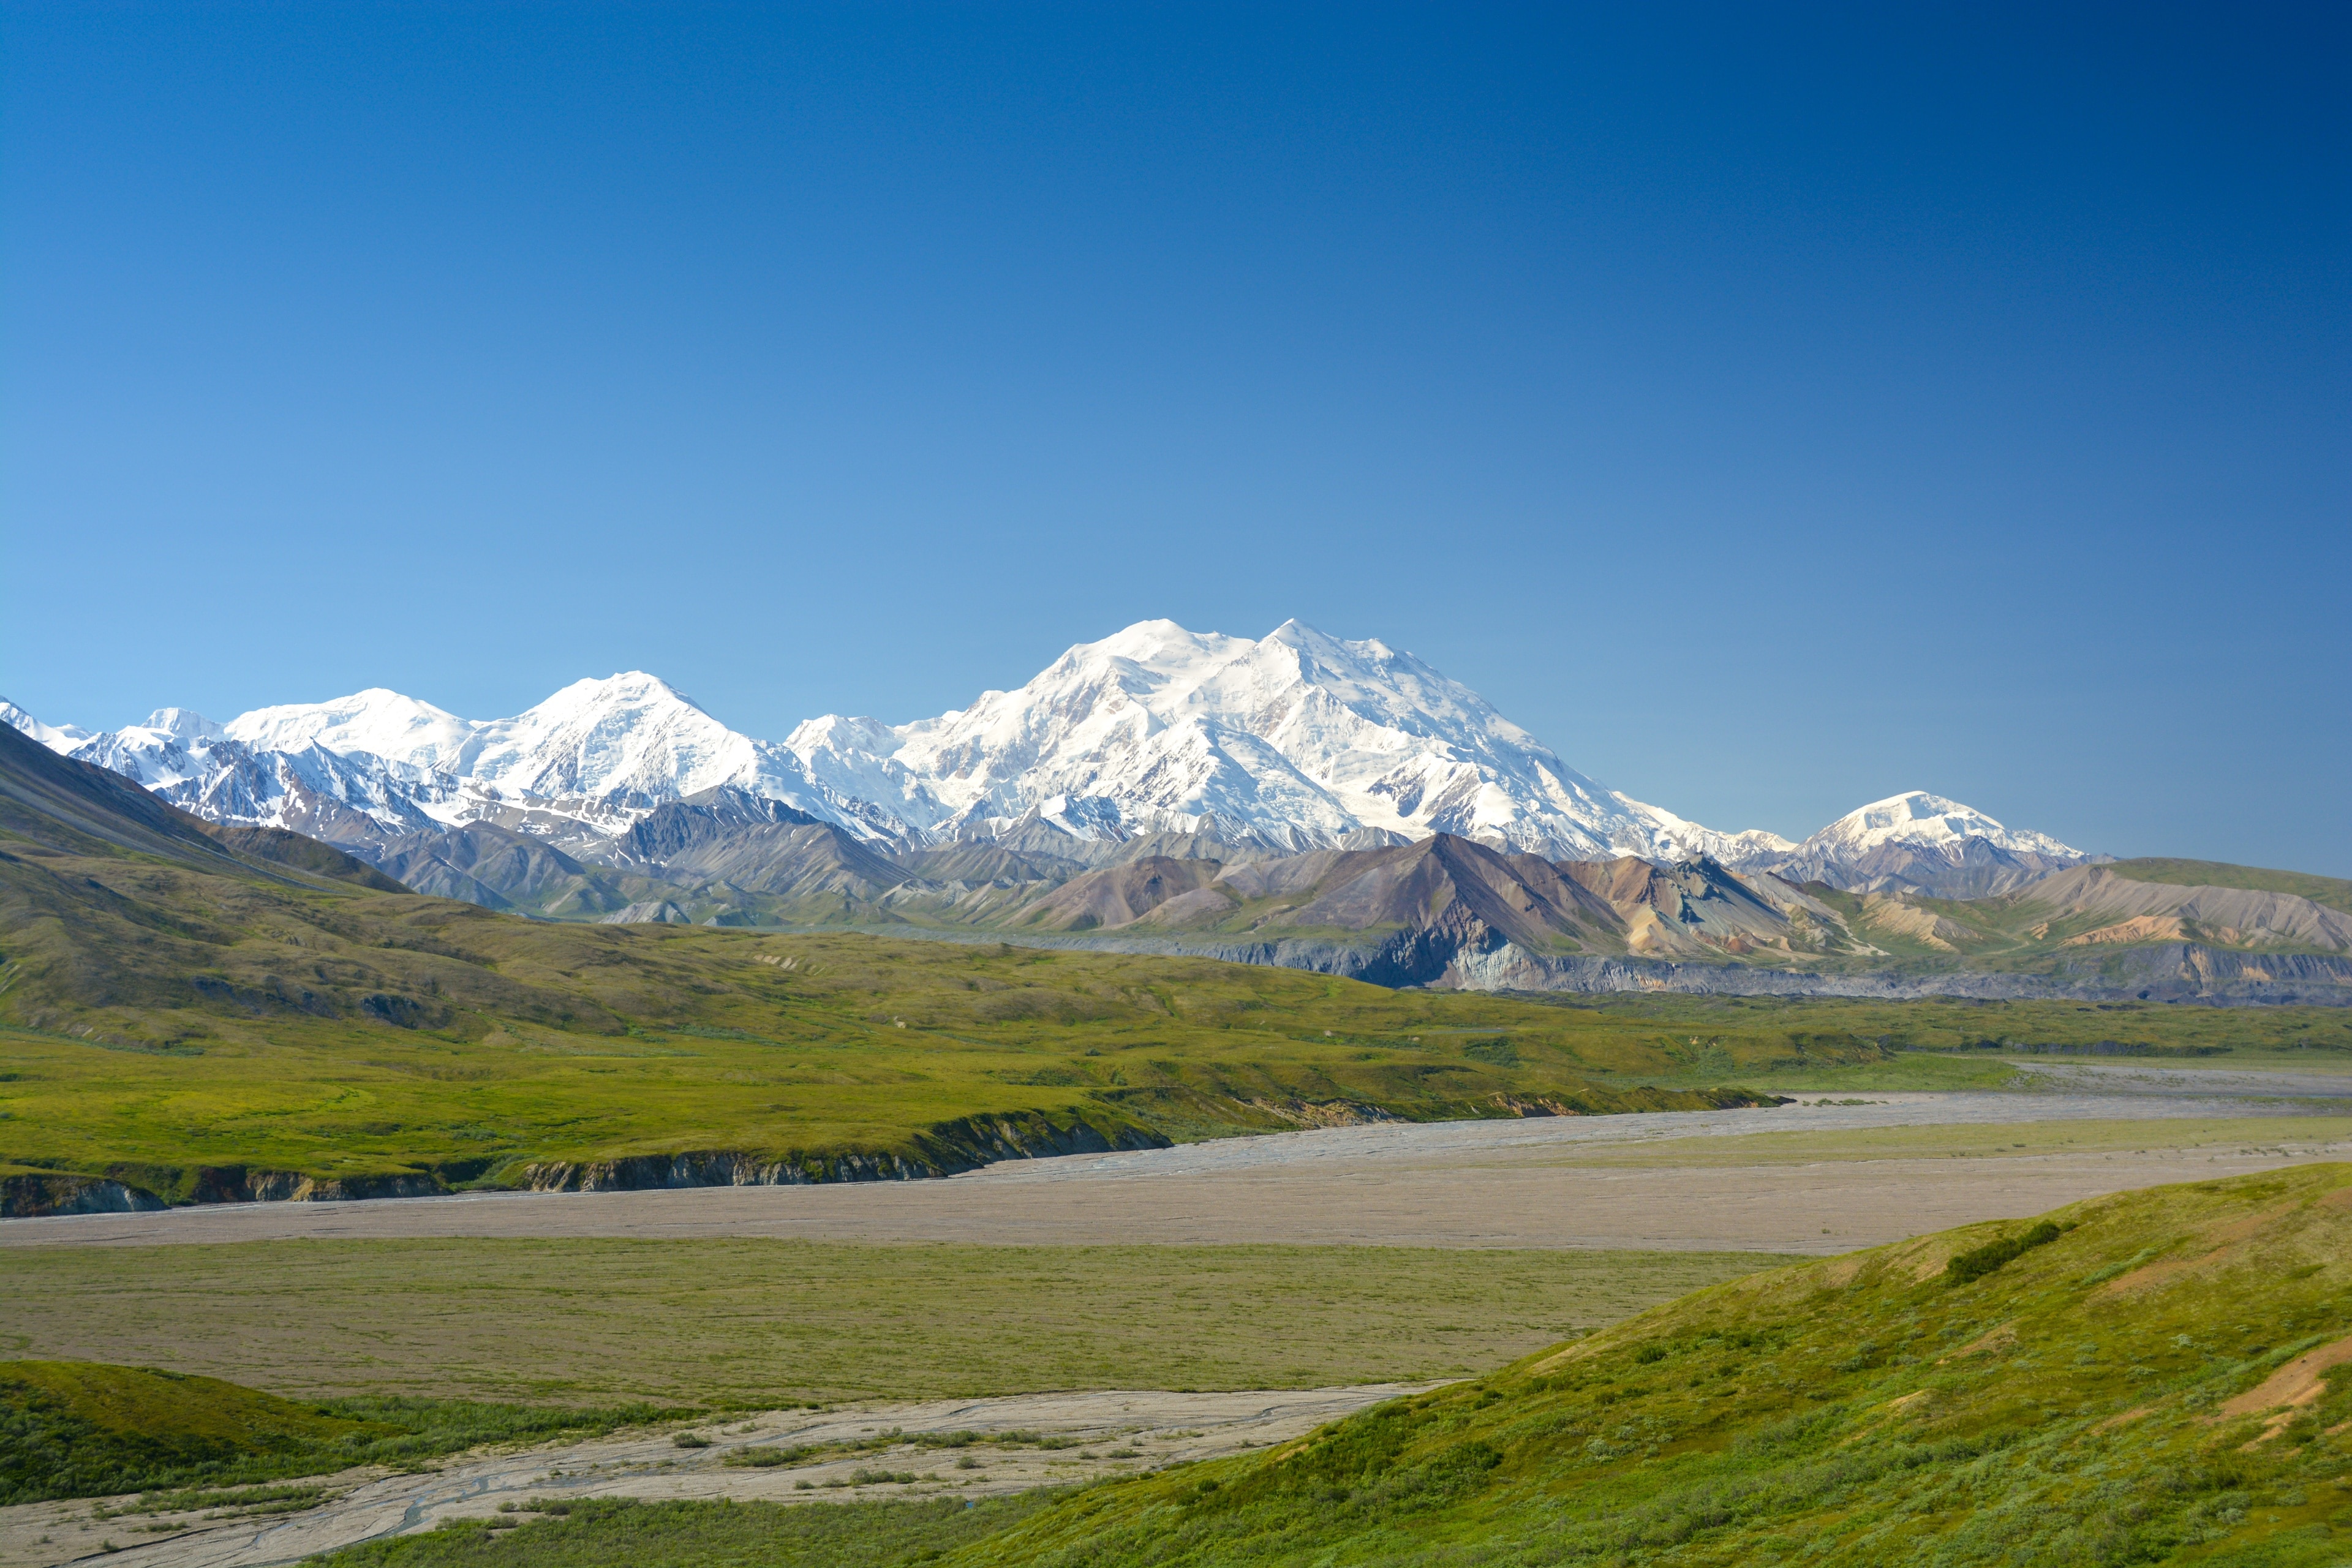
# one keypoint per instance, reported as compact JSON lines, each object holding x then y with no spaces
{"x":1149,"y":1428}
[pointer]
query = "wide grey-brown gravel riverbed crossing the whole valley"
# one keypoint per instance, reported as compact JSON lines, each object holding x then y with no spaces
{"x":1457,"y":1184}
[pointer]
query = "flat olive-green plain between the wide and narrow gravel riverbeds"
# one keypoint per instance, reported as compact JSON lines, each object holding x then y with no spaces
{"x":775,"y":1322}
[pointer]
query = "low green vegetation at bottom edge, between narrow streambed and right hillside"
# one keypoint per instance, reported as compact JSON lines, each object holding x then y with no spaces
{"x":599,"y":1534}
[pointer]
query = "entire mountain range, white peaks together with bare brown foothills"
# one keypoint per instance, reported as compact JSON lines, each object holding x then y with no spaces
{"x":1295,"y":800}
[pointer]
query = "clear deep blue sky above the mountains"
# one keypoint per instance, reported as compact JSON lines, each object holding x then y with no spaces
{"x":1772,"y":408}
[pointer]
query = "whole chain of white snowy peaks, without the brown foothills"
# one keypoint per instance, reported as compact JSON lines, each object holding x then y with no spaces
{"x":1156,"y":739}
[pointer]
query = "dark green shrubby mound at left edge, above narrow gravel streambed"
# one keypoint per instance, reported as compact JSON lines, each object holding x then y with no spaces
{"x":93,"y":1430}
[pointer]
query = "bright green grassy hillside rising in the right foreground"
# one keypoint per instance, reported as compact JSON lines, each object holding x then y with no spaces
{"x":2092,"y":1402}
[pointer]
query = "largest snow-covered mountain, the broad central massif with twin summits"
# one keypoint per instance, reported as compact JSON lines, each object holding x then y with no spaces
{"x":1299,"y":739}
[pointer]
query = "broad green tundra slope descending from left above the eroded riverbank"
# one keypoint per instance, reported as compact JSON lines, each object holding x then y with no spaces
{"x":178,"y":1014}
